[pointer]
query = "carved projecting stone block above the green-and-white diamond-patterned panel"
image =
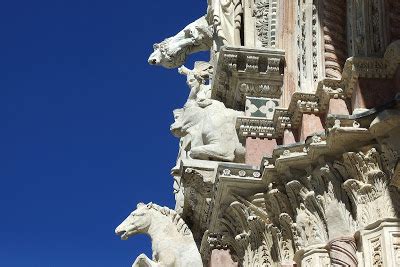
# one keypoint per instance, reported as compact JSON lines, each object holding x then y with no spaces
{"x":242,"y":72}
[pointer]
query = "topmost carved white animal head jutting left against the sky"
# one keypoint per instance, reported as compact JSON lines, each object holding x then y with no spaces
{"x":172,"y":52}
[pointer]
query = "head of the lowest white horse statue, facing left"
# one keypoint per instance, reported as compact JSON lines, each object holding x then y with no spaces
{"x":137,"y":222}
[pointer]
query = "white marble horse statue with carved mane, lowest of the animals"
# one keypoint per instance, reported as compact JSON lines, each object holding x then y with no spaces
{"x":172,"y":241}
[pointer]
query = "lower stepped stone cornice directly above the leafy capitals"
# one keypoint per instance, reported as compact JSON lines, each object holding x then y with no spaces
{"x":243,"y":180}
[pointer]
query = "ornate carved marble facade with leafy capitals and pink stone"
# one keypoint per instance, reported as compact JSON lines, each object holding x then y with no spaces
{"x":289,"y":150}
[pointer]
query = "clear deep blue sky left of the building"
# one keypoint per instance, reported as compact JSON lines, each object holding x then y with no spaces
{"x":84,"y":126}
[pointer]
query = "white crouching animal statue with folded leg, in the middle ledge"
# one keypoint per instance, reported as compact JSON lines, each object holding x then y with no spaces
{"x":212,"y":131}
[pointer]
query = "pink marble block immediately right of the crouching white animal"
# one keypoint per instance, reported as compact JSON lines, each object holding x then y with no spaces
{"x":257,"y":148}
